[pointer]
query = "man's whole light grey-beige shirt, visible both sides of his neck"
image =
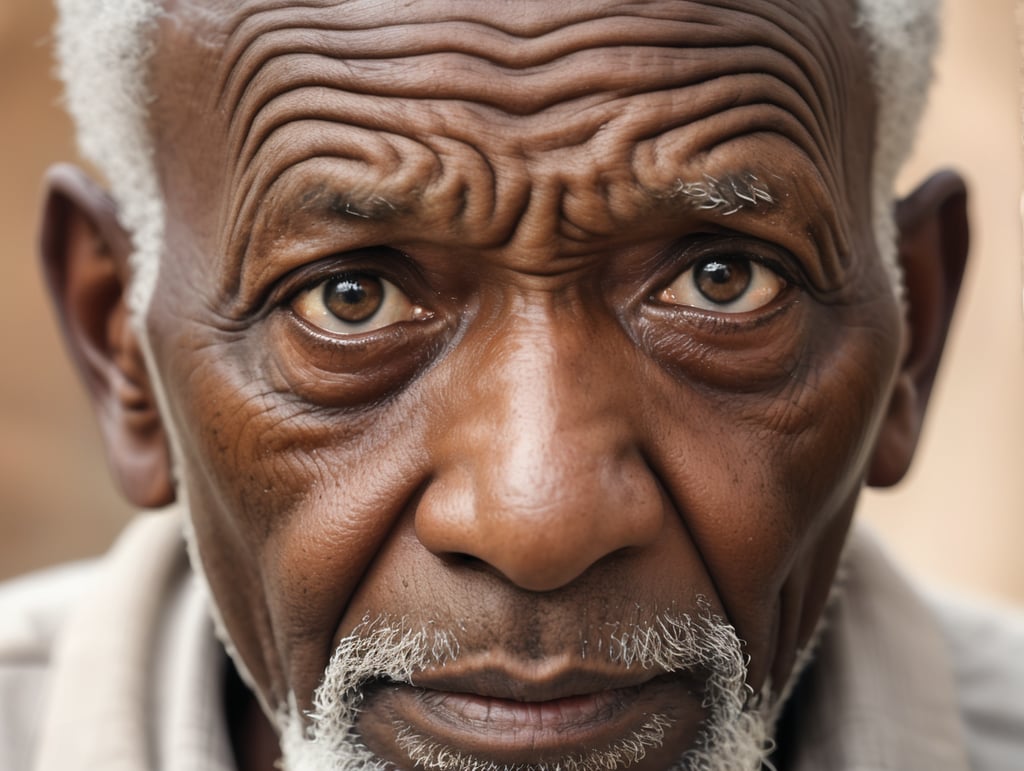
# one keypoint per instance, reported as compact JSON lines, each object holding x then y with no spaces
{"x":115,"y":666}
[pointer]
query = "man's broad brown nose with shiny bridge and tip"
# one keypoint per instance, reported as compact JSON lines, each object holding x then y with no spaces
{"x":539,"y":474}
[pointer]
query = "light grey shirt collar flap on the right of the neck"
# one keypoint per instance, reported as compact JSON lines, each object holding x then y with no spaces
{"x":881,"y":695}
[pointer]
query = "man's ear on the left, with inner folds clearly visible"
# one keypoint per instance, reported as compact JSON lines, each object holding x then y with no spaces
{"x":86,"y":259}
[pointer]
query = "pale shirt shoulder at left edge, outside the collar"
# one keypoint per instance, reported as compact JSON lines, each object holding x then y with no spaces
{"x":33,"y":611}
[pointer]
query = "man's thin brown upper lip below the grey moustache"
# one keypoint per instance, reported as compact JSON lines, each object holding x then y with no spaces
{"x":531,"y":681}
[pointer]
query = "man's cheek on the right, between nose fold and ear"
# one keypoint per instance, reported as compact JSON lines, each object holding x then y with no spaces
{"x":765,"y":481}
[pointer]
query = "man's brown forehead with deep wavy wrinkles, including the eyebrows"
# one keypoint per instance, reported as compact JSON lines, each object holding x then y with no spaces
{"x":525,"y":132}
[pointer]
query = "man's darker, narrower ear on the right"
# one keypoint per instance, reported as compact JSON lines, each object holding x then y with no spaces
{"x":933,"y":246}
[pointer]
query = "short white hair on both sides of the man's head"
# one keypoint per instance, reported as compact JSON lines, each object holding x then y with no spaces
{"x":104,"y":48}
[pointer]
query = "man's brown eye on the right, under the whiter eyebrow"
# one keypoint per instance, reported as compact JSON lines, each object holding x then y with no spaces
{"x":726,"y":285}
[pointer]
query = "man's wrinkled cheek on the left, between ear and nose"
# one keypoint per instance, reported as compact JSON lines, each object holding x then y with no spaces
{"x":288,"y":500}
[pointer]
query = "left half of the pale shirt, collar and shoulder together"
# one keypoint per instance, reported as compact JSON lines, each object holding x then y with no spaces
{"x":125,"y":677}
